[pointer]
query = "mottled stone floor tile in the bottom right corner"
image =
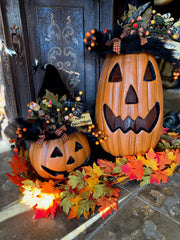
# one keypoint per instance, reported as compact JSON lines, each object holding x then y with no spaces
{"x":138,"y":221}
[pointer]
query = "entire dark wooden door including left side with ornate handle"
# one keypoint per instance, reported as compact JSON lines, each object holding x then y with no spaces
{"x":52,"y":31}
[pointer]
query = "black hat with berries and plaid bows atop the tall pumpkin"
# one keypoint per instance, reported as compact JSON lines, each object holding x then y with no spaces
{"x":140,"y":28}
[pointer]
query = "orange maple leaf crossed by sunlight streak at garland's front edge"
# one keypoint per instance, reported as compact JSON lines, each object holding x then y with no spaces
{"x":107,"y":204}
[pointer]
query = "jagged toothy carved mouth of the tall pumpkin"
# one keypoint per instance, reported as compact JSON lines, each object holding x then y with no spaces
{"x":147,"y":124}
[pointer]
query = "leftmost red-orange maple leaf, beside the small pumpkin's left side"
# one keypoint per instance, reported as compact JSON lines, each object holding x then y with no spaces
{"x":17,"y":165}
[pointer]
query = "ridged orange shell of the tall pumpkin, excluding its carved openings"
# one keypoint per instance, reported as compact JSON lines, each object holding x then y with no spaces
{"x":118,"y":144}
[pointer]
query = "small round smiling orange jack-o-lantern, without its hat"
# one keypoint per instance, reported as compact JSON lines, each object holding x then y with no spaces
{"x":55,"y":159}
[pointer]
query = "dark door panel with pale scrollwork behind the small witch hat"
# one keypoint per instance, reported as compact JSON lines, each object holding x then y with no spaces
{"x":55,"y":33}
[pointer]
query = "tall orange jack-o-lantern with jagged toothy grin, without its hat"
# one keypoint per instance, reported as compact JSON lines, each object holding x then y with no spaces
{"x":129,"y":103}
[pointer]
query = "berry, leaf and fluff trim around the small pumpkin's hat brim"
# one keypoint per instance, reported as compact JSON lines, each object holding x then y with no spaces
{"x":45,"y":116}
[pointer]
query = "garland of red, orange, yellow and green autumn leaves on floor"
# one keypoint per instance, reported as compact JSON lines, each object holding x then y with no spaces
{"x":94,"y":185}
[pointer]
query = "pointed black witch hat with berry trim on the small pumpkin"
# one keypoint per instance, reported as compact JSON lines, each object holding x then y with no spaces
{"x":50,"y":116}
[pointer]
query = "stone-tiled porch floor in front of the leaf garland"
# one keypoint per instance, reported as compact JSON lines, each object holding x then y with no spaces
{"x":151,"y":212}
